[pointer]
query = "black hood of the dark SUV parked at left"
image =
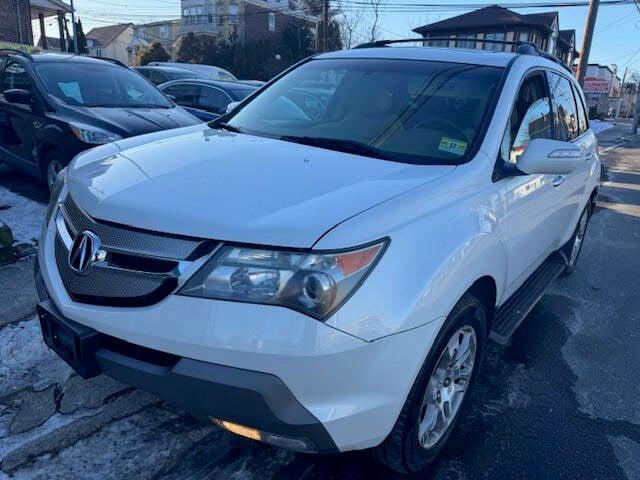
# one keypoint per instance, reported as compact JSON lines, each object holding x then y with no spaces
{"x":131,"y":122}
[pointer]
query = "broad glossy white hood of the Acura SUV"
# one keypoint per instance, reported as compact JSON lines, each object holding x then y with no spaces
{"x":236,"y":187}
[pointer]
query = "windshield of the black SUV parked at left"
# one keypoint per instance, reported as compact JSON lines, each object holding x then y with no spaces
{"x":99,"y":85}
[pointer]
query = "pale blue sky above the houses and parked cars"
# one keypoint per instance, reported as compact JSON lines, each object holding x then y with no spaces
{"x":616,"y":39}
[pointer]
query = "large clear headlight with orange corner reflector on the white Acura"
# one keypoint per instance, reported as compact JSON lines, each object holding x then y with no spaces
{"x":314,"y":283}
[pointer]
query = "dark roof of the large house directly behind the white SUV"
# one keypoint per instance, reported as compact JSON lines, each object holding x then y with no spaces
{"x":491,"y":17}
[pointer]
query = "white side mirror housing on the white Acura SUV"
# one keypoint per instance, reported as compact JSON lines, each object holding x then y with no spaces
{"x":544,"y":156}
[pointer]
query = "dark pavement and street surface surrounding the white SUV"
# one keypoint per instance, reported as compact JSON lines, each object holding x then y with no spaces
{"x":561,"y":401}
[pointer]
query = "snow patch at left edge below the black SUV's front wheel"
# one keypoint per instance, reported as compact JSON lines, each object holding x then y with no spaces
{"x":23,"y":216}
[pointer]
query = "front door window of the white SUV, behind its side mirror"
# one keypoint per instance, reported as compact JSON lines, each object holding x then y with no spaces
{"x":530,"y":118}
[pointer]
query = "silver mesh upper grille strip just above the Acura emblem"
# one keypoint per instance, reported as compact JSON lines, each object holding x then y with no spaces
{"x":128,"y":240}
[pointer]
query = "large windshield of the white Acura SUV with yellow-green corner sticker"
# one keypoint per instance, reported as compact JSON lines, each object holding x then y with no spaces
{"x":403,"y":110}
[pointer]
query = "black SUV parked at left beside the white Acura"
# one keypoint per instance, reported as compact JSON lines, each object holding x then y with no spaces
{"x":53,"y":106}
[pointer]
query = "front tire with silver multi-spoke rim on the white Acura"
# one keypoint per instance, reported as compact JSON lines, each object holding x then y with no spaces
{"x":440,"y":393}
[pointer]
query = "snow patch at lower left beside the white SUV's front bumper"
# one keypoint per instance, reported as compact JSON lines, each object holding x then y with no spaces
{"x":26,"y":361}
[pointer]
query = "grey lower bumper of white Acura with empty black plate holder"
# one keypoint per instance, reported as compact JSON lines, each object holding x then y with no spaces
{"x":208,"y":391}
